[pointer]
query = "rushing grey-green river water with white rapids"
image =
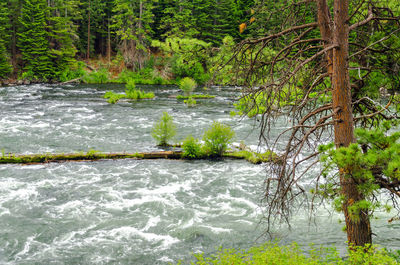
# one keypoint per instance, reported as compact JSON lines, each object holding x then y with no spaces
{"x":130,"y":211}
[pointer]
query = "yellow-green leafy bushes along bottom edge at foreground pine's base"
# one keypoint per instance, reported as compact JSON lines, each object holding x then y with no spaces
{"x":272,"y":253}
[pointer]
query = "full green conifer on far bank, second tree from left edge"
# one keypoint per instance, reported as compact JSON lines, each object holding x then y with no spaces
{"x":33,"y":41}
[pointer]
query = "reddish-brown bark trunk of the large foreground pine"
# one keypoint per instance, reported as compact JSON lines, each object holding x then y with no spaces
{"x":358,"y":227}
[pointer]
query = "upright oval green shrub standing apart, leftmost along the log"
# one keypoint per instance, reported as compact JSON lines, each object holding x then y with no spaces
{"x":164,"y":130}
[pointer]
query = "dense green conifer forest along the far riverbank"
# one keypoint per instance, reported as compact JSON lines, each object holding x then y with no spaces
{"x":44,"y":40}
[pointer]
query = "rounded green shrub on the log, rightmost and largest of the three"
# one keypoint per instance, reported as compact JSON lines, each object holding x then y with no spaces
{"x":217,"y":138}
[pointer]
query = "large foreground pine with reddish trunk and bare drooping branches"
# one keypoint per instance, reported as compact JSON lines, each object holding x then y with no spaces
{"x":321,"y":63}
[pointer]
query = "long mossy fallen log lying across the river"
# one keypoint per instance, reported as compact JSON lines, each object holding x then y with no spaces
{"x":255,"y":158}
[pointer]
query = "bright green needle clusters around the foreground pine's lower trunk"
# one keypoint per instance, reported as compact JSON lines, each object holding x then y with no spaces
{"x":373,"y":162}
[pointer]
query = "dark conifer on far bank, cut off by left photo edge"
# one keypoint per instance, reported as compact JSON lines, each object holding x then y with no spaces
{"x":5,"y":67}
